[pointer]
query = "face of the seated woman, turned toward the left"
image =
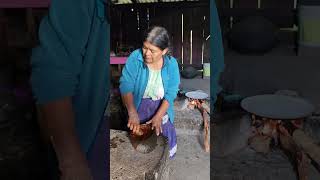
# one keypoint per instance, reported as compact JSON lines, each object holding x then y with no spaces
{"x":151,"y":53}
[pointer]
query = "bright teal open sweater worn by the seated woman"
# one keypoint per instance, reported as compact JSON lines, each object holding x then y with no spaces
{"x":135,"y":76}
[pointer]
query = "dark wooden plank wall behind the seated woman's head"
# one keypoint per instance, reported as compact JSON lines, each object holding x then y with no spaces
{"x":124,"y":24}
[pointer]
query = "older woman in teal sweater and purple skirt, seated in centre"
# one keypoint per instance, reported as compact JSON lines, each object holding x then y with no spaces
{"x":149,"y":85}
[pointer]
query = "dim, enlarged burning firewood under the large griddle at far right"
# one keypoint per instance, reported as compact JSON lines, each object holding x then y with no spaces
{"x":293,"y":141}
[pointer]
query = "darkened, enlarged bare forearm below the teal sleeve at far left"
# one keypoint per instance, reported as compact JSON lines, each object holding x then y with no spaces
{"x":57,"y":121}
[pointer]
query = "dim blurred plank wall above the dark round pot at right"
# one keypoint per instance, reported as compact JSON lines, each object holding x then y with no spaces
{"x":280,"y":12}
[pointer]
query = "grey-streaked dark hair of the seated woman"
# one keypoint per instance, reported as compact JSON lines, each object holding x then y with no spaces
{"x":157,"y":36}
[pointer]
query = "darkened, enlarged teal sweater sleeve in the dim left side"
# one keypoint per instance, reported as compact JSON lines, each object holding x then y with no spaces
{"x":56,"y":62}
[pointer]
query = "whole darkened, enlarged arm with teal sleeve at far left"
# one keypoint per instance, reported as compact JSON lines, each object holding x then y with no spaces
{"x":56,"y":66}
